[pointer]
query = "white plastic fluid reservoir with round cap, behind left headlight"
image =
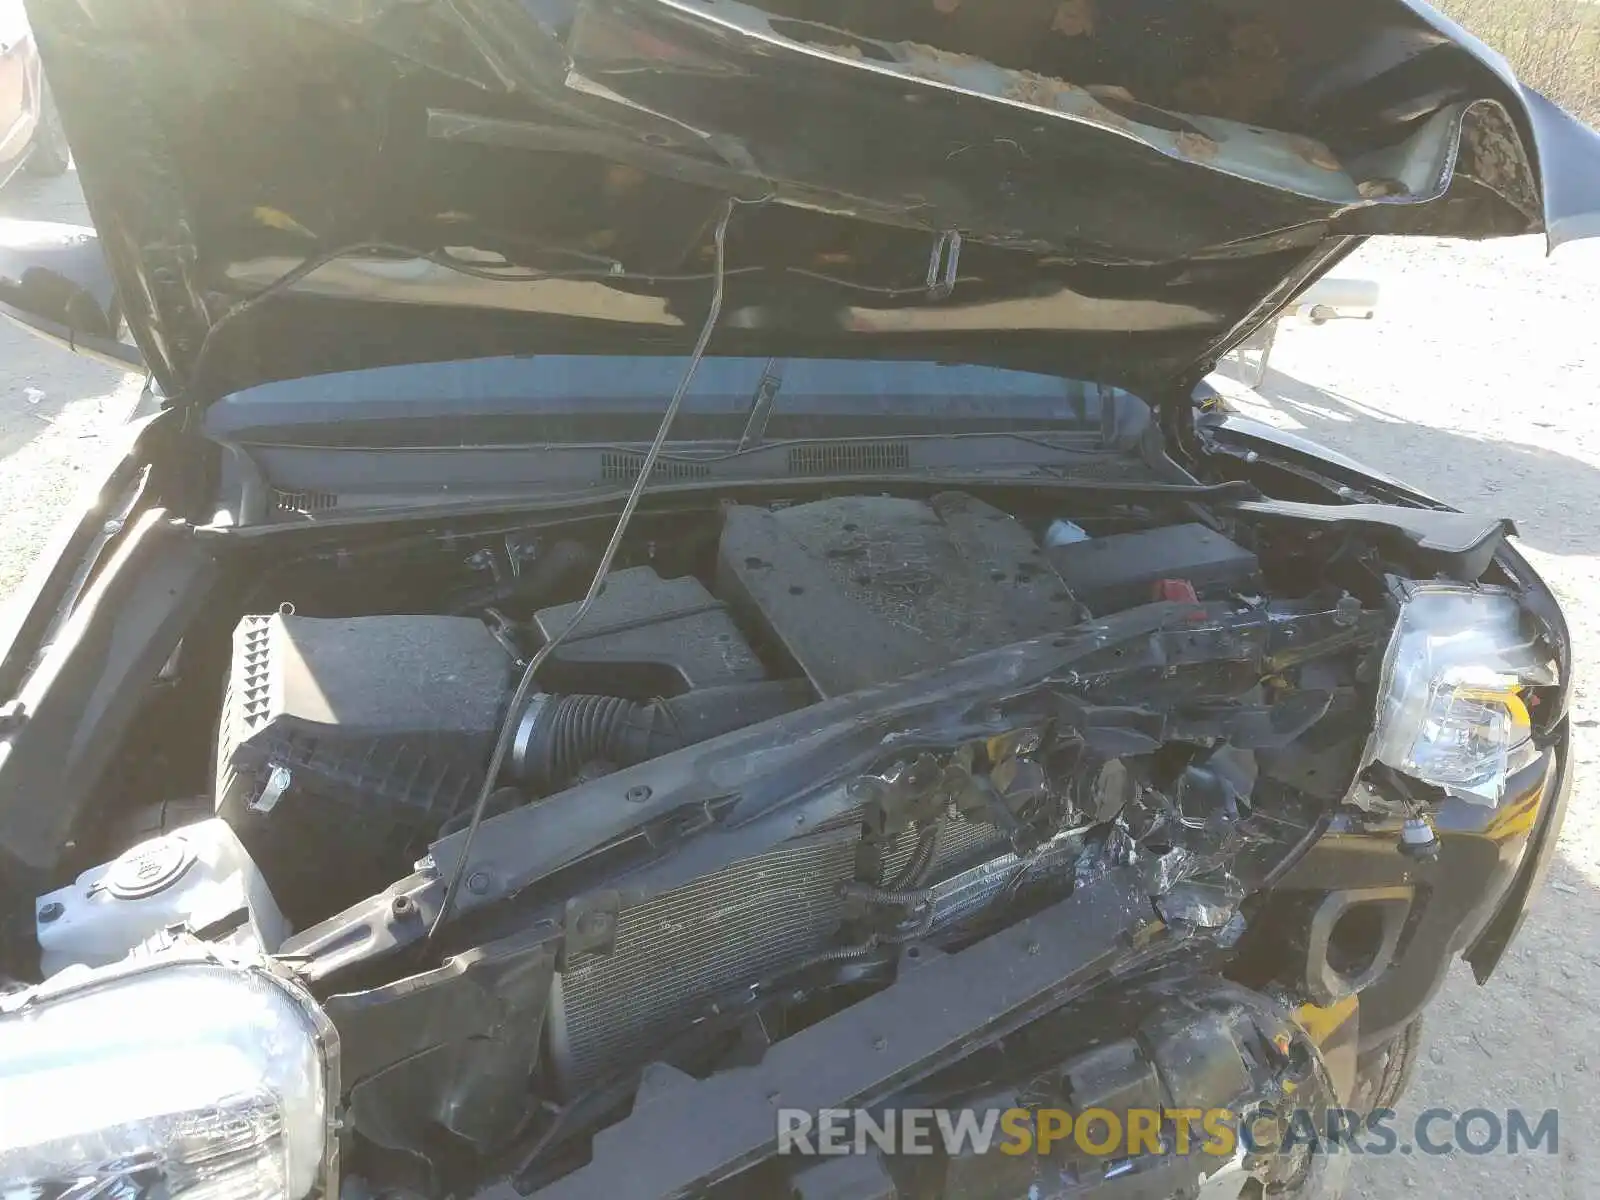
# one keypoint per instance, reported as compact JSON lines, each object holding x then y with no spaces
{"x":198,"y":878}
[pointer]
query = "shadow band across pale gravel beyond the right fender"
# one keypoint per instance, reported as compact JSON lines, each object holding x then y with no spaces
{"x":1474,"y":474}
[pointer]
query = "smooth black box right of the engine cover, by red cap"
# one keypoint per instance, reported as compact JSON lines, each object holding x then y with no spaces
{"x":1119,"y":572}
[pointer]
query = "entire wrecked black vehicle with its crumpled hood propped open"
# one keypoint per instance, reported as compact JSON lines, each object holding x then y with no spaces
{"x":889,"y":770}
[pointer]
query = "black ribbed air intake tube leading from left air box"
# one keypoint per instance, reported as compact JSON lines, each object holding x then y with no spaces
{"x":564,"y":737}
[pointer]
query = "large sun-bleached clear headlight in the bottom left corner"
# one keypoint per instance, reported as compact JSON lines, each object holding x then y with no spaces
{"x":182,"y":1078}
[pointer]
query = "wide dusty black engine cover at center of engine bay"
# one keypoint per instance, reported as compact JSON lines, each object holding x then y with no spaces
{"x":863,"y":590}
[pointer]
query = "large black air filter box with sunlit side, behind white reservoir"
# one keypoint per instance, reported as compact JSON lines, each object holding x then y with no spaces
{"x":346,"y":743}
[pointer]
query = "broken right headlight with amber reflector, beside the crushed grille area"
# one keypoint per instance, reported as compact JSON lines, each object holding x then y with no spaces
{"x":1454,"y":697}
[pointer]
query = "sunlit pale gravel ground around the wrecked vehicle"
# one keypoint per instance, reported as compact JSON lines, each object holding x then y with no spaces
{"x":1479,"y":382}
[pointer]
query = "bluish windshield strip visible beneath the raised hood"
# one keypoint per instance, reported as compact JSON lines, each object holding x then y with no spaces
{"x":617,"y":399}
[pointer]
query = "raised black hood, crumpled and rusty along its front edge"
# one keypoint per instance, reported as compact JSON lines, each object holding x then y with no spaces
{"x":1116,"y":193}
